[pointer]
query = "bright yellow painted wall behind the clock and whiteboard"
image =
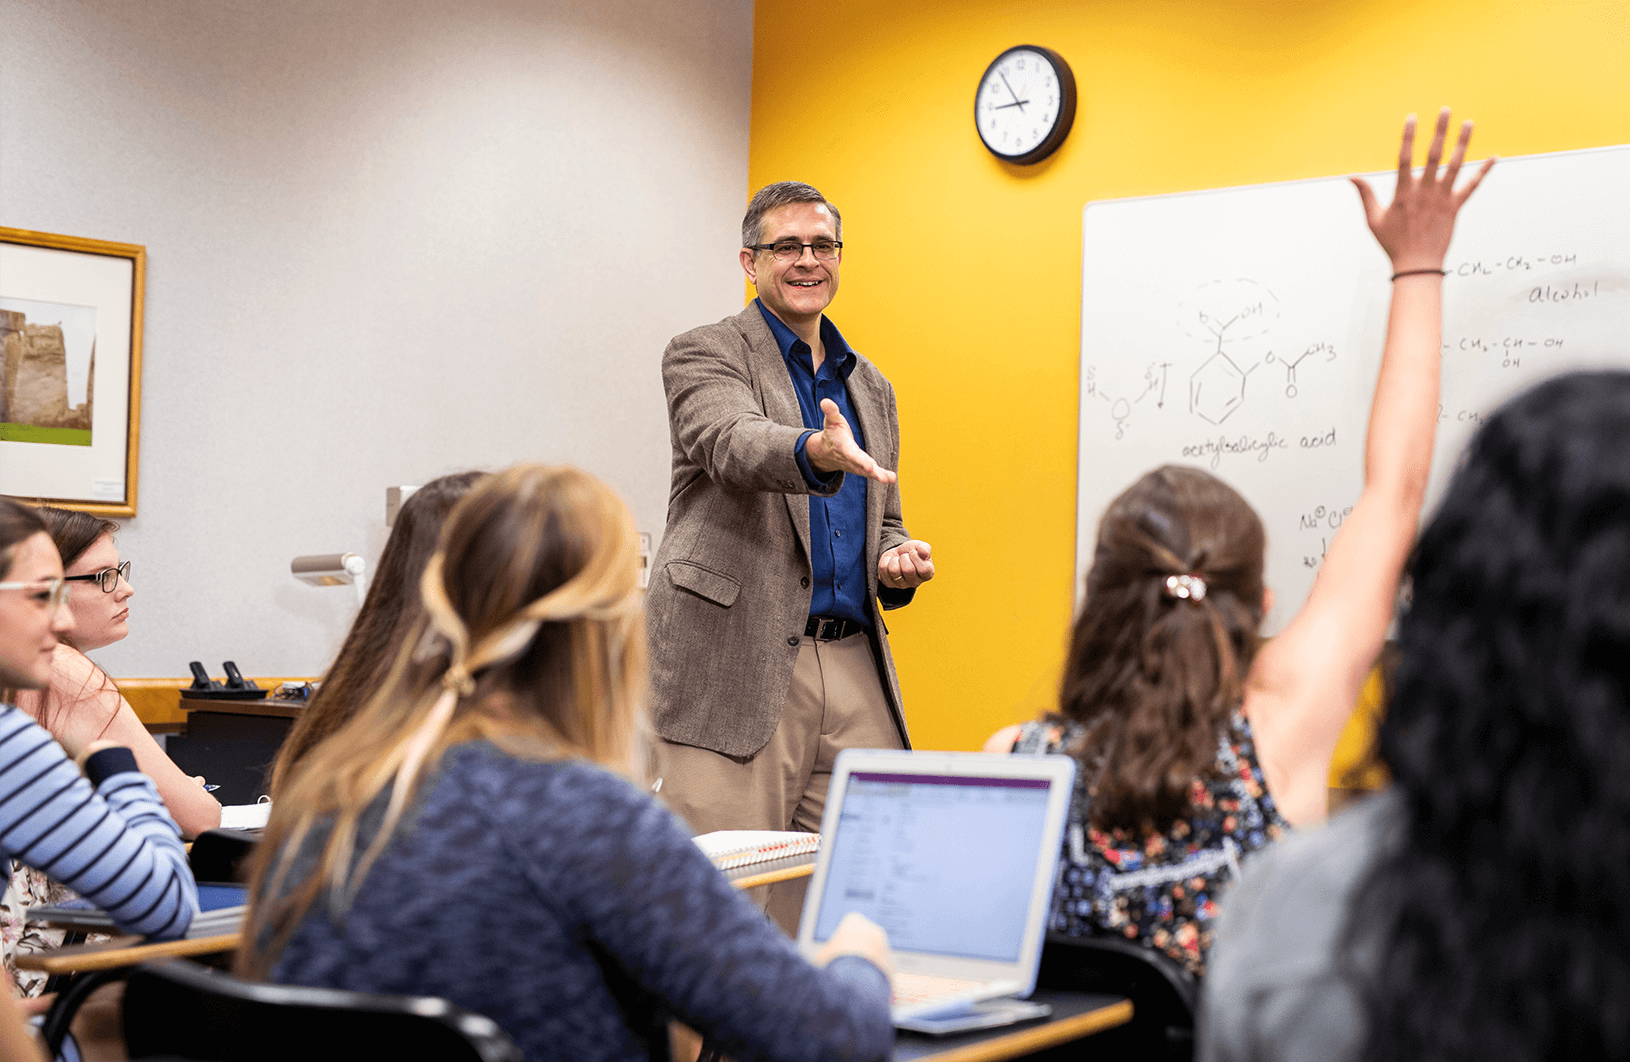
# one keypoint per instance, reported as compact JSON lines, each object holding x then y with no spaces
{"x":963,"y":274}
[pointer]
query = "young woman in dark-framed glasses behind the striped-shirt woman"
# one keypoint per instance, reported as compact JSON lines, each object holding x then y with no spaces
{"x":82,"y":704}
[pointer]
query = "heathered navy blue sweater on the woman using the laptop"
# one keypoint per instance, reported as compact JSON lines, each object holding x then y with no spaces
{"x":571,"y":910}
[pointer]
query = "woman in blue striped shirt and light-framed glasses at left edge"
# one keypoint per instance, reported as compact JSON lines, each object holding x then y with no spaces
{"x":102,"y":833}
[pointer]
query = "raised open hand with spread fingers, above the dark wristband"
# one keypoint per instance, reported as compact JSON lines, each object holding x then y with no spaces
{"x":1416,"y":227}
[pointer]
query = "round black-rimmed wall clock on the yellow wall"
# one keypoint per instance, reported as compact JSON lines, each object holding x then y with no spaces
{"x":1026,"y":105}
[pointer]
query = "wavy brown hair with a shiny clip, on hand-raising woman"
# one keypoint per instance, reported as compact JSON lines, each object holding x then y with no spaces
{"x":1153,"y":677}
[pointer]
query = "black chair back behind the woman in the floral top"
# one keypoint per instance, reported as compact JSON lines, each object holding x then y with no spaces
{"x":1163,"y":993}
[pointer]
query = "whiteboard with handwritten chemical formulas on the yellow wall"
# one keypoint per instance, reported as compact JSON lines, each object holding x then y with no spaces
{"x":1241,"y":331}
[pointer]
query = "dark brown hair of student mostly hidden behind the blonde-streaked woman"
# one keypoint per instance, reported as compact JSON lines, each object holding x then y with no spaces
{"x":389,"y":613}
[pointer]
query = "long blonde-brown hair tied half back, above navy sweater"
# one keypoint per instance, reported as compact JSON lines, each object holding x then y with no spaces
{"x":532,"y":639}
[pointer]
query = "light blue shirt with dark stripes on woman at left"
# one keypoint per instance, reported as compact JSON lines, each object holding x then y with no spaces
{"x":113,"y":845}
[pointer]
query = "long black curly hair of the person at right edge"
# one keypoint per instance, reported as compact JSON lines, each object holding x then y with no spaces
{"x":1500,"y":906}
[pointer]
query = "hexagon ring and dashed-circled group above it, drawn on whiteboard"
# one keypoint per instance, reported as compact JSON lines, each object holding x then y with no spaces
{"x":1225,"y":314}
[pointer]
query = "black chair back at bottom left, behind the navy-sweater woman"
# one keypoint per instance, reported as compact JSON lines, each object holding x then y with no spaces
{"x":190,"y":1011}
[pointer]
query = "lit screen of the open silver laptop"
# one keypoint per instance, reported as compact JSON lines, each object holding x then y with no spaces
{"x":945,"y":864}
